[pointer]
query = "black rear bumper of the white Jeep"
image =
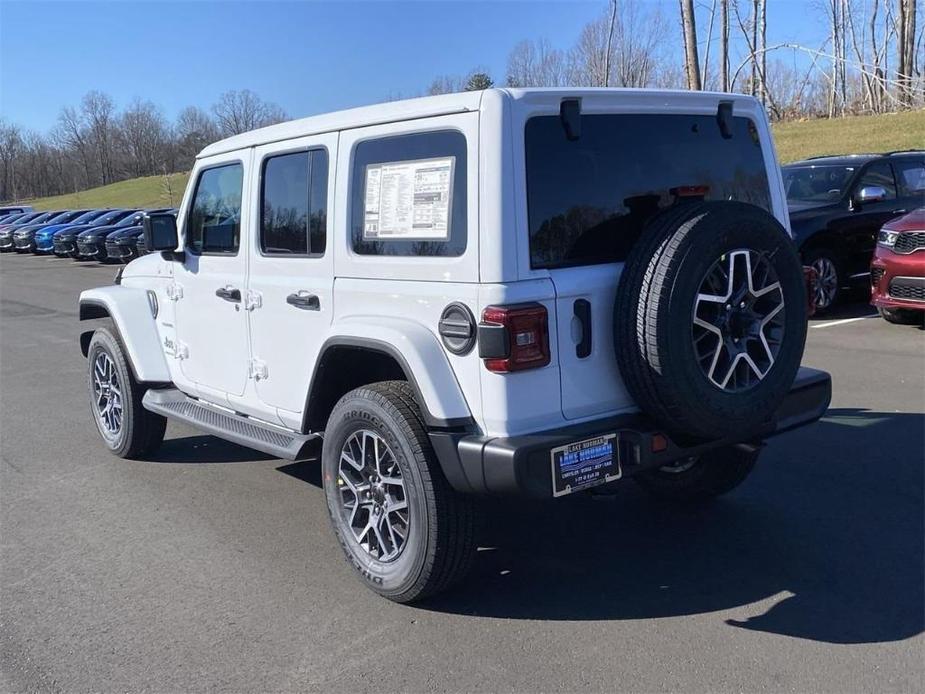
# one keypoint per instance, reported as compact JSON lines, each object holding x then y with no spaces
{"x":521,"y":465}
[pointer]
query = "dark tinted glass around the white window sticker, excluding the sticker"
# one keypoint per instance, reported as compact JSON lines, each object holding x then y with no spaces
{"x":434,"y":145}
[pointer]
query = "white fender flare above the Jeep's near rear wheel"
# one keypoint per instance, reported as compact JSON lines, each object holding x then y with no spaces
{"x":421,"y":357}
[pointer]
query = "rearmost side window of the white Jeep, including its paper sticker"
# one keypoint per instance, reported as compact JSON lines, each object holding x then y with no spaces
{"x":408,"y":195}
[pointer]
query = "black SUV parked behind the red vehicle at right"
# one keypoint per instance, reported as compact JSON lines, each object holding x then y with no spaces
{"x":837,"y":206}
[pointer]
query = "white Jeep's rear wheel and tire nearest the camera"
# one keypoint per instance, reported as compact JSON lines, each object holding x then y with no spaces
{"x":407,"y":533}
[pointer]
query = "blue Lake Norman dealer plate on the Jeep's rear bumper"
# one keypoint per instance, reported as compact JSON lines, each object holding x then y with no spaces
{"x":586,"y":463}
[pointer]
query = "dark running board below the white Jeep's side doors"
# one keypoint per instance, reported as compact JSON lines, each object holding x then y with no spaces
{"x":173,"y":404}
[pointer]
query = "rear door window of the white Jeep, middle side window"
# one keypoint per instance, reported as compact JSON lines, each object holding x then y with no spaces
{"x":294,"y":198}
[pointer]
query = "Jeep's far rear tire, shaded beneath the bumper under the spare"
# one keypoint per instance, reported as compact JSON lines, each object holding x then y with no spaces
{"x":711,"y":475}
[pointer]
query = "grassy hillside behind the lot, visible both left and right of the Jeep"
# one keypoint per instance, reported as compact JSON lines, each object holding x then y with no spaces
{"x":795,"y":140}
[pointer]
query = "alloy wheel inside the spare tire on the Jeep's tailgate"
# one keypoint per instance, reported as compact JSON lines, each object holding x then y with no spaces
{"x":738,"y":322}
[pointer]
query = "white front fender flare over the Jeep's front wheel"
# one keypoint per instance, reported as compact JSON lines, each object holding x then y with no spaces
{"x":130,"y":311}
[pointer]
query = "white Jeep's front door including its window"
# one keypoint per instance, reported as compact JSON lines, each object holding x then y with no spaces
{"x":210,"y":283}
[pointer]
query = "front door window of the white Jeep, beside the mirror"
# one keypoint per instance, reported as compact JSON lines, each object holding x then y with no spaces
{"x":214,"y":223}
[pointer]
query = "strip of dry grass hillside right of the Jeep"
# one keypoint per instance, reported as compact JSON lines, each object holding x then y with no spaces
{"x":850,"y":135}
